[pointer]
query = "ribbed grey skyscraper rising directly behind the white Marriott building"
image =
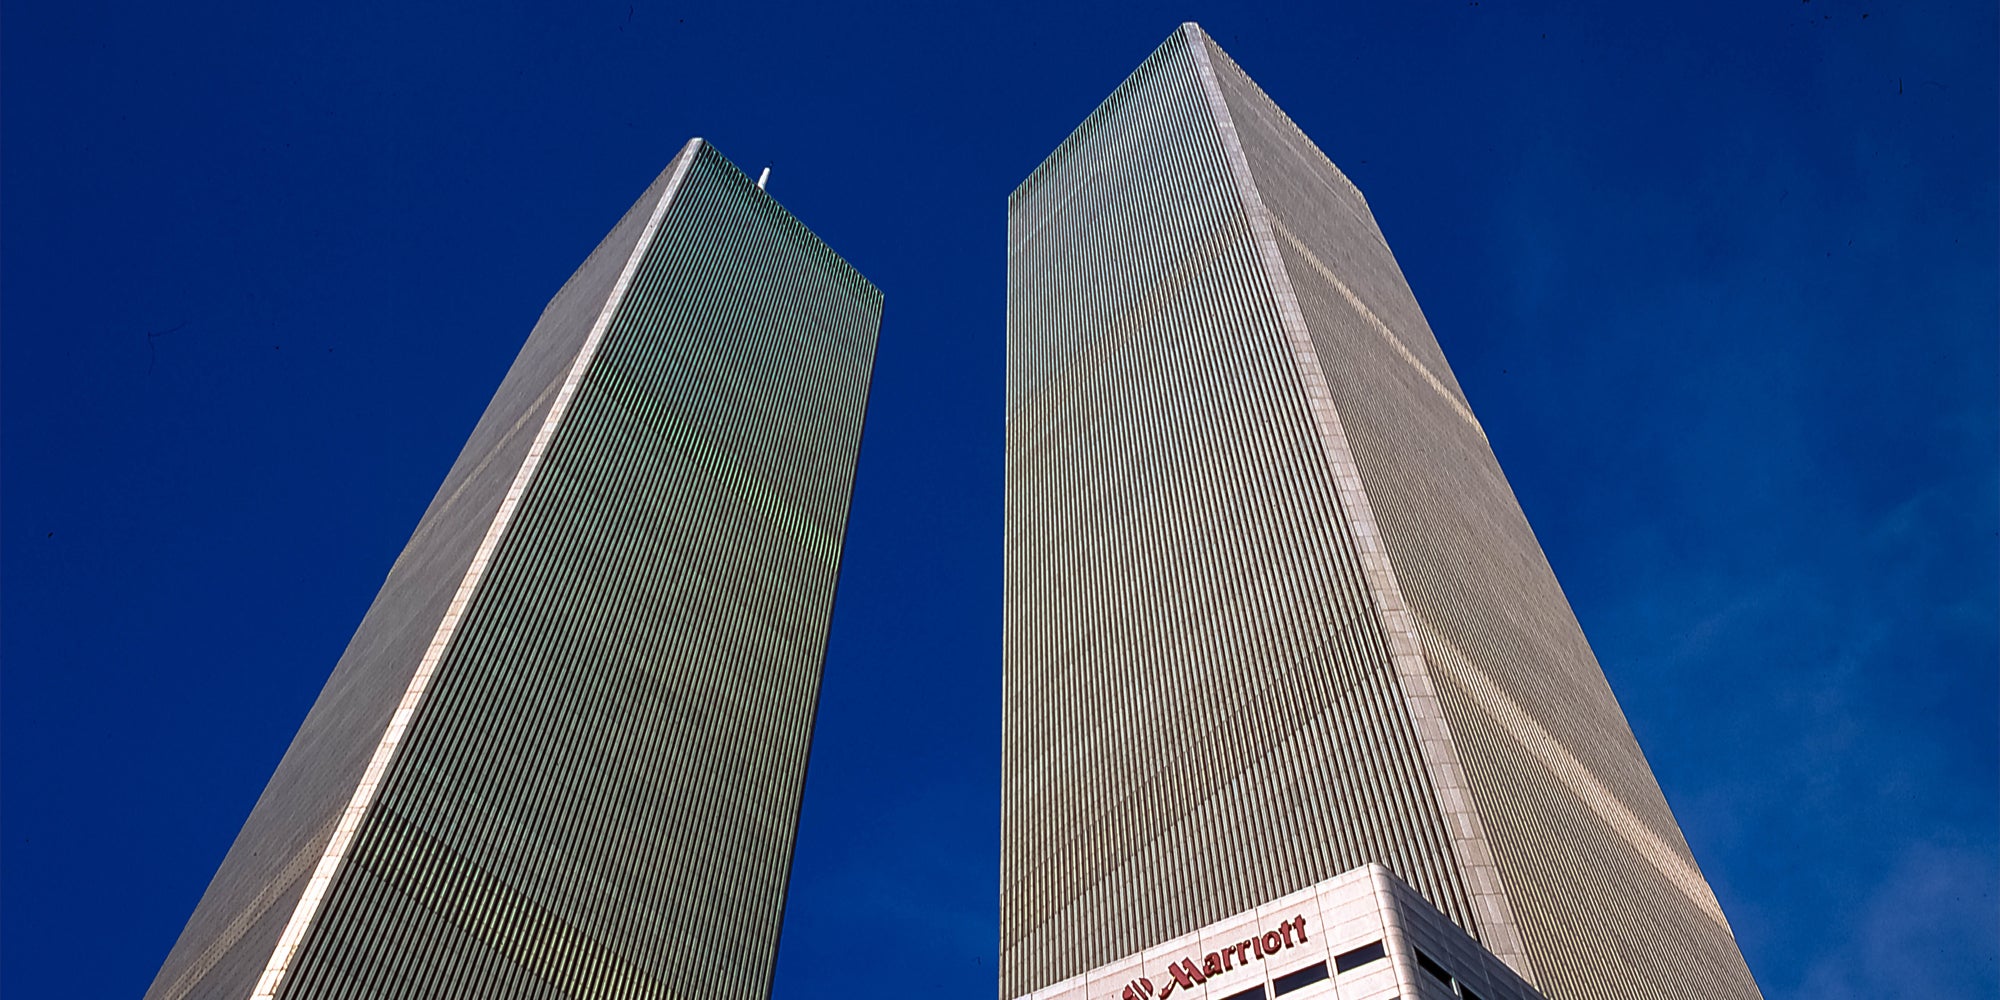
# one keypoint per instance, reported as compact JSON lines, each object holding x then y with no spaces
{"x":1273,"y":611}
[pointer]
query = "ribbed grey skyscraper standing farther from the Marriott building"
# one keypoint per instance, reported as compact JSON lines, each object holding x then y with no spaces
{"x":565,"y":753}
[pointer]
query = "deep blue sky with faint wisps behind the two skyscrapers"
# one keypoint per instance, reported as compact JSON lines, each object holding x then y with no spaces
{"x":1721,"y":283}
